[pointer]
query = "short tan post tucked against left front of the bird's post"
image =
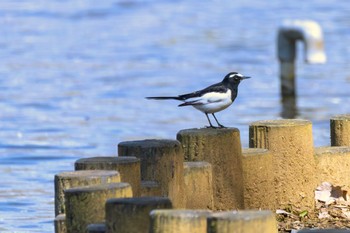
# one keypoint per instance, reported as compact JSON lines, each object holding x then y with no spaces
{"x":198,"y":185}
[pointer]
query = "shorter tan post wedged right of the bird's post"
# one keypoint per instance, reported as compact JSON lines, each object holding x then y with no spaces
{"x":258,"y":179}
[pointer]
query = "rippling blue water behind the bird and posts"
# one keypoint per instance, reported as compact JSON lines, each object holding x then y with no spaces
{"x":74,"y":74}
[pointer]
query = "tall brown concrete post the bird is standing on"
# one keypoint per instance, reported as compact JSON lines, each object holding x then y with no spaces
{"x":222,"y":149}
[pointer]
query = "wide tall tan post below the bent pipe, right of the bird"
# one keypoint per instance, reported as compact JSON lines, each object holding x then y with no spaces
{"x":291,"y":145}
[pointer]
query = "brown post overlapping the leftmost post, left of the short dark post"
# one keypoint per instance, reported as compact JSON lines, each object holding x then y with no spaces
{"x":86,"y":205}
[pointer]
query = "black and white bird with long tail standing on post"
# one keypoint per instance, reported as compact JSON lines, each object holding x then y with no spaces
{"x":212,"y":99}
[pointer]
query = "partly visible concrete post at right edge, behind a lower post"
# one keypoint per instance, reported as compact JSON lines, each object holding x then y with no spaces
{"x":340,"y":130}
